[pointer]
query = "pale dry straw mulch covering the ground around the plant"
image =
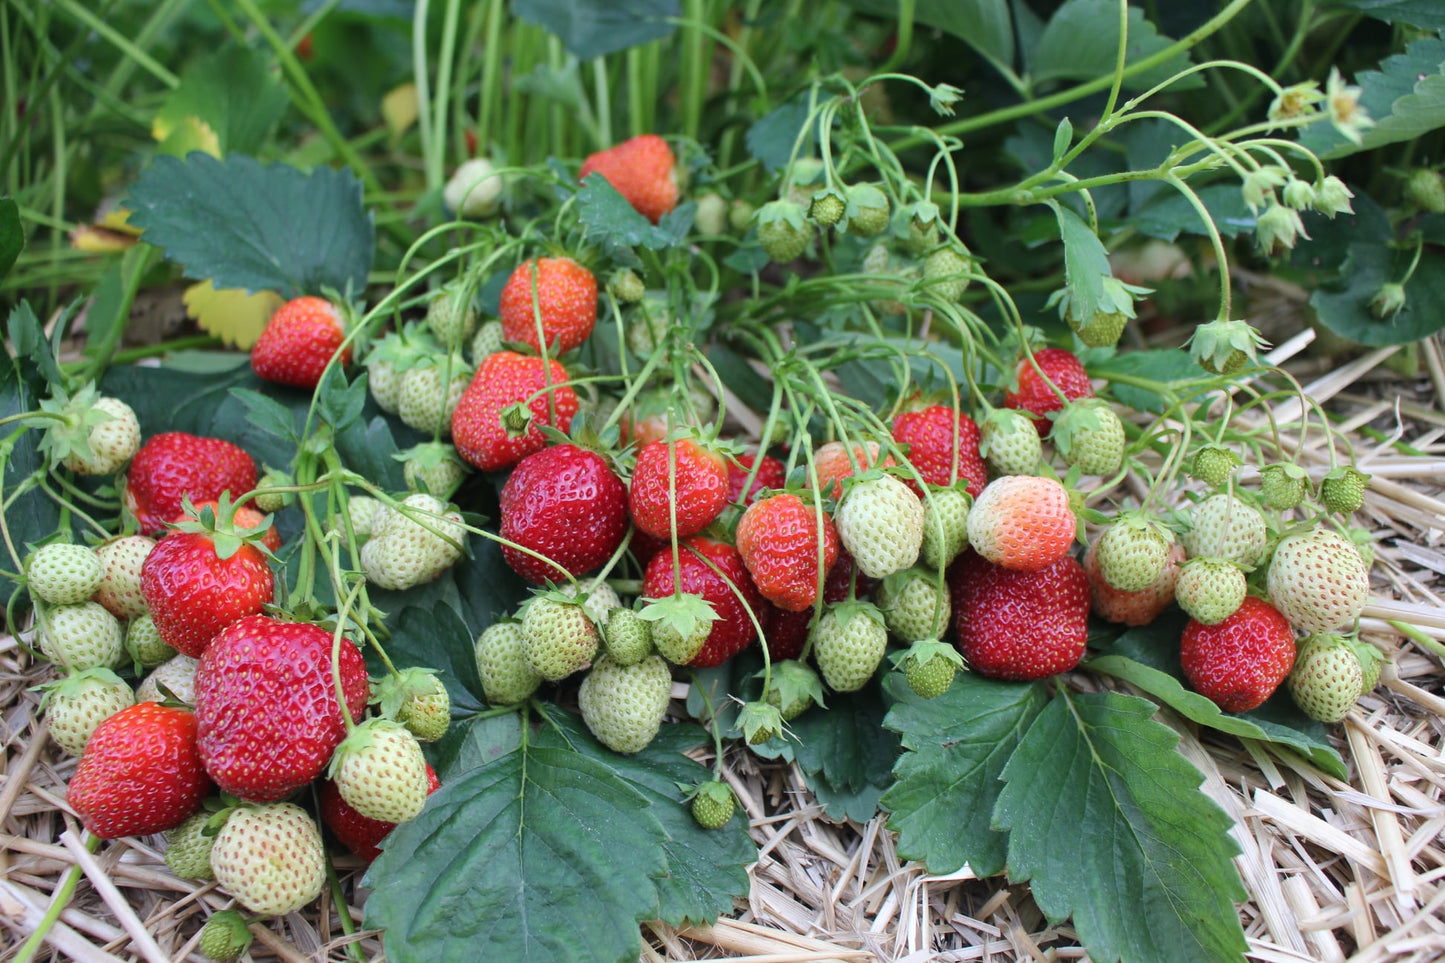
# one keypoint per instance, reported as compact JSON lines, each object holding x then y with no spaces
{"x":1336,"y":871}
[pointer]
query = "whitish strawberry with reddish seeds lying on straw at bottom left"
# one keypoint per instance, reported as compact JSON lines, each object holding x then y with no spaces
{"x":271,"y":858}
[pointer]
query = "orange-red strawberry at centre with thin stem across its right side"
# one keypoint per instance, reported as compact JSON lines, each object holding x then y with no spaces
{"x":778,"y":542}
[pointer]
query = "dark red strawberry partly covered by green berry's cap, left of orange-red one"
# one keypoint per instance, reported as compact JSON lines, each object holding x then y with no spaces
{"x":733,"y":631}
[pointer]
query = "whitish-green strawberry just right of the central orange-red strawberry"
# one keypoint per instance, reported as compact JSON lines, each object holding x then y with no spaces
{"x":881,"y":523}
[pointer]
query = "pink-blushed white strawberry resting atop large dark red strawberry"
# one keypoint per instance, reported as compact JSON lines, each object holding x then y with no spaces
{"x":1022,"y":521}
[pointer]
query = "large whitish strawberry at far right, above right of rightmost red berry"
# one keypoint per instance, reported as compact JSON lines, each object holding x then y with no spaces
{"x":1319,"y":581}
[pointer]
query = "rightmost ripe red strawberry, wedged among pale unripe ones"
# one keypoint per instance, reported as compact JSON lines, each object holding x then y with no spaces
{"x":1239,"y":663}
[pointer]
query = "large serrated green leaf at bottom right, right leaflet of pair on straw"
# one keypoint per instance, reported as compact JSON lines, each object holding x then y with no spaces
{"x":1109,"y":826}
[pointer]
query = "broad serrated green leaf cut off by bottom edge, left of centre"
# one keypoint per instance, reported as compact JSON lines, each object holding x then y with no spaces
{"x":515,"y":857}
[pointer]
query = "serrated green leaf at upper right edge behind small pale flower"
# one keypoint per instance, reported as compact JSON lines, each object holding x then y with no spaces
{"x":1405,"y":99}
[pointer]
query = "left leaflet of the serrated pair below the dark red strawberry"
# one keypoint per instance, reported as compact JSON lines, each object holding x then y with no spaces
{"x":947,"y":783}
